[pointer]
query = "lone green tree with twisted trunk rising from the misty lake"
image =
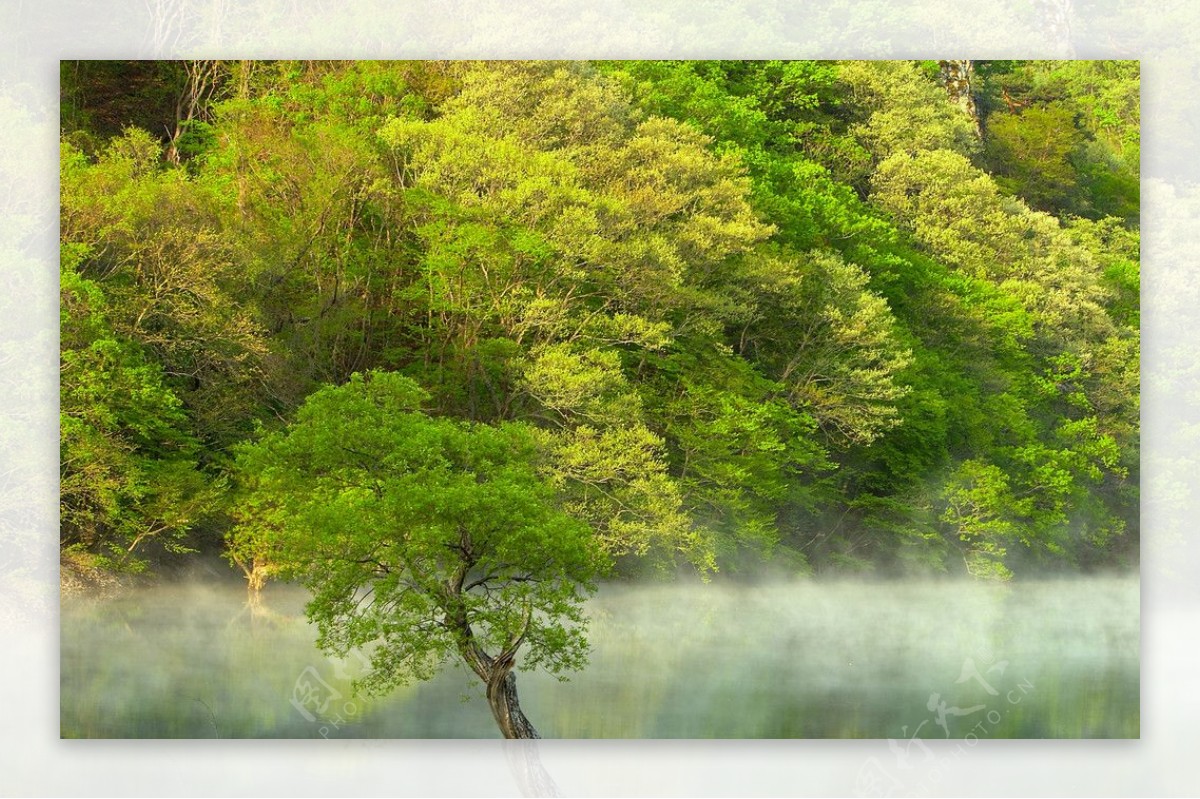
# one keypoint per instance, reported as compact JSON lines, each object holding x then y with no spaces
{"x":423,"y":539}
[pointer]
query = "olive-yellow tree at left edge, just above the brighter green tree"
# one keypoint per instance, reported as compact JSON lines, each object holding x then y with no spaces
{"x":154,"y":242}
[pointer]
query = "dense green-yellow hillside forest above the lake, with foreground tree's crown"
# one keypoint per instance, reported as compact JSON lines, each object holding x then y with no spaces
{"x":736,"y":319}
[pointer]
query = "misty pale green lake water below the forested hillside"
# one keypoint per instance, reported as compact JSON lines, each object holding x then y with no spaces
{"x":814,"y":659}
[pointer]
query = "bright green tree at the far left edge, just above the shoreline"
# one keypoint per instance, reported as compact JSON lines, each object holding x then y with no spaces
{"x":128,"y":465}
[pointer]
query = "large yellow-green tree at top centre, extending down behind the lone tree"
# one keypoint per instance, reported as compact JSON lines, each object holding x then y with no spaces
{"x":569,"y":239}
